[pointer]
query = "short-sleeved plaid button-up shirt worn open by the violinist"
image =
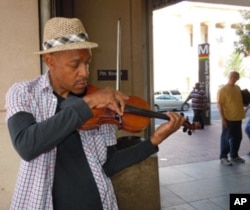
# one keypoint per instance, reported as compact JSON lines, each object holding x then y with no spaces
{"x":33,"y":189}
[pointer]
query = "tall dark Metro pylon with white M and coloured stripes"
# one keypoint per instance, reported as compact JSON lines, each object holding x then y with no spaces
{"x":204,"y":75}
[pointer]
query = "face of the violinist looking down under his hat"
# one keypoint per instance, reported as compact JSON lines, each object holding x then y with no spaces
{"x":69,"y":70}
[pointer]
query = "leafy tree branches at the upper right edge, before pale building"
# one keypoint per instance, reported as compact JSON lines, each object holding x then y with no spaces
{"x":243,"y":32}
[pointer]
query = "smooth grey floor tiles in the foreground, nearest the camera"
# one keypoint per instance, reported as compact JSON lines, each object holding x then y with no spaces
{"x":203,"y":185}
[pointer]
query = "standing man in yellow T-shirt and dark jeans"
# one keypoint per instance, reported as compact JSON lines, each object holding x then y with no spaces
{"x":231,"y":109}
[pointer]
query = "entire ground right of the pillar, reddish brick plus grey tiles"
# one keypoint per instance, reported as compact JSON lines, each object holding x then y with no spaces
{"x":196,"y":180}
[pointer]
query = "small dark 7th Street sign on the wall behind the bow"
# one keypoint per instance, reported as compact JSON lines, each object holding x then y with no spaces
{"x":111,"y":75}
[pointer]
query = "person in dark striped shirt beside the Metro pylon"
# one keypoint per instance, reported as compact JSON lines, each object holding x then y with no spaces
{"x":199,"y":103}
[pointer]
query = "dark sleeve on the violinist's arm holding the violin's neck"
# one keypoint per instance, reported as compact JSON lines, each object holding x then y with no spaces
{"x":121,"y":159}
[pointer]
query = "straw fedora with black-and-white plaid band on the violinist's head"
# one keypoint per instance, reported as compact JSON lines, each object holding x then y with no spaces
{"x":62,"y":34}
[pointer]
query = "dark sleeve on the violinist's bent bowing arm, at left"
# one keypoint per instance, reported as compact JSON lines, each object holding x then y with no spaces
{"x":31,"y":138}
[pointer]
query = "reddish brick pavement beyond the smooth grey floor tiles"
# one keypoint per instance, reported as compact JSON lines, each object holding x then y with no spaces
{"x":202,"y":145}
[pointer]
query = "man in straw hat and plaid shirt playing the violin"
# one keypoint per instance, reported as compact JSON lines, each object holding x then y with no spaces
{"x":63,"y":167}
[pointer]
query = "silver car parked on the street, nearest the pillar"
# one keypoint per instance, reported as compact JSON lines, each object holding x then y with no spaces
{"x":166,"y":102}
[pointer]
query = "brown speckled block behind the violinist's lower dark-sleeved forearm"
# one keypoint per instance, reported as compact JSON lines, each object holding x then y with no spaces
{"x":137,"y":187}
